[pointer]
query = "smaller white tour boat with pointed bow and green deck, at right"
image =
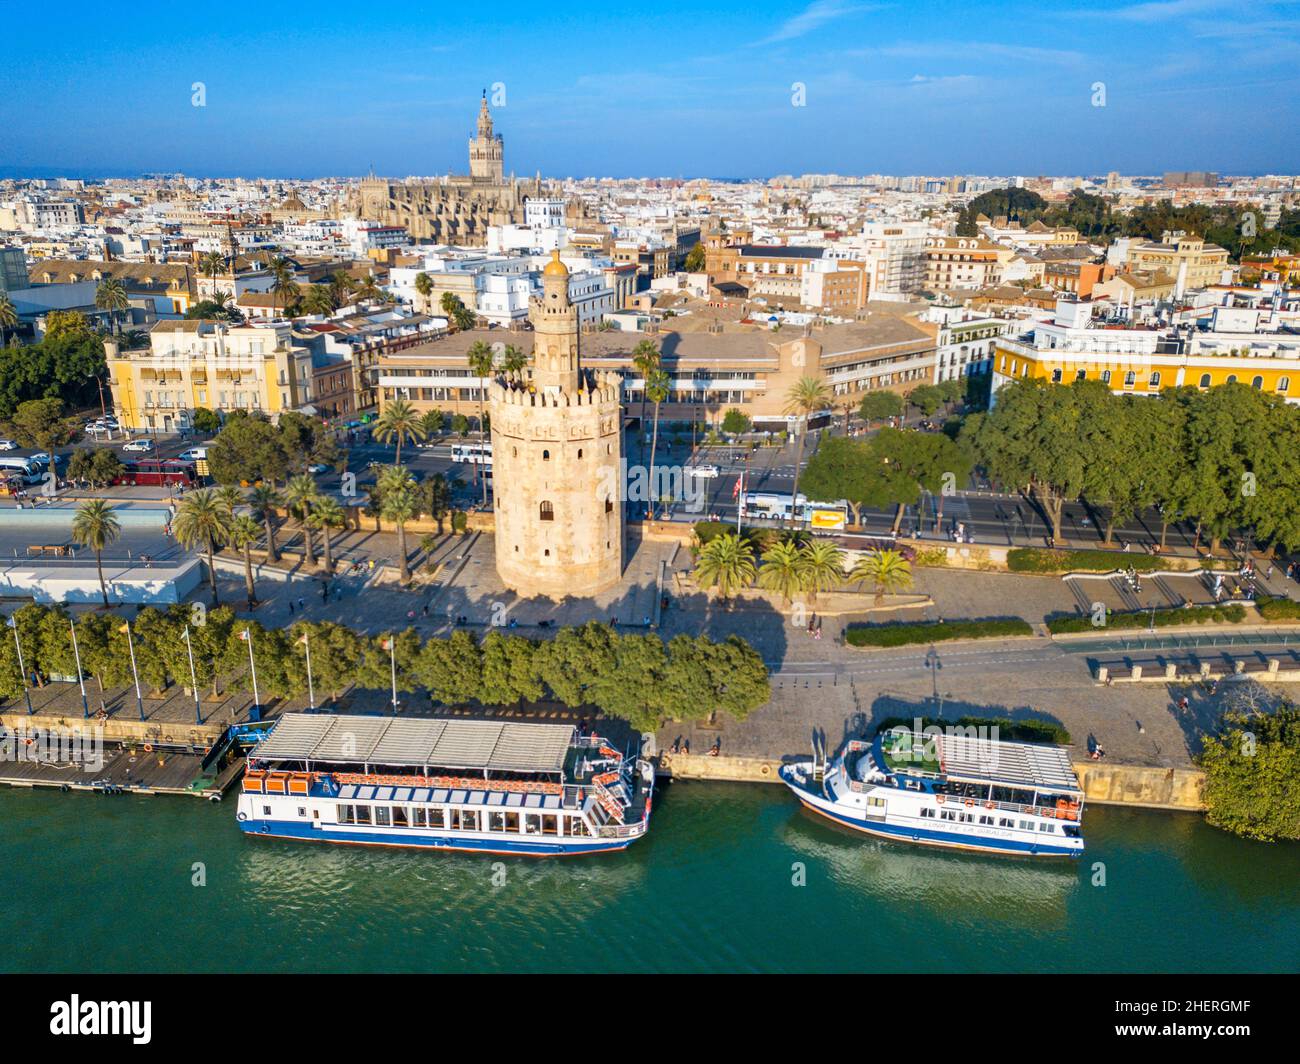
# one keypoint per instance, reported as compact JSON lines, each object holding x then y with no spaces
{"x":955,"y":790}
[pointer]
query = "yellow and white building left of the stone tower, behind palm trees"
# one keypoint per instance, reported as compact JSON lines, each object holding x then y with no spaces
{"x":210,"y":365}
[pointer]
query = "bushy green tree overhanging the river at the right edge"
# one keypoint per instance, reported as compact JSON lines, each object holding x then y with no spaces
{"x":1253,"y":775}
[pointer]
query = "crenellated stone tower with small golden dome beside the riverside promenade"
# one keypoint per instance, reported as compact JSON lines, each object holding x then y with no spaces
{"x":557,"y":461}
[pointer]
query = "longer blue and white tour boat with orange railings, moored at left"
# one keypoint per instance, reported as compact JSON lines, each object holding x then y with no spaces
{"x":539,"y":790}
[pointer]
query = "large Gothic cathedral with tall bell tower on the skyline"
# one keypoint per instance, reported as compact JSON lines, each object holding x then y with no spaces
{"x":456,"y":209}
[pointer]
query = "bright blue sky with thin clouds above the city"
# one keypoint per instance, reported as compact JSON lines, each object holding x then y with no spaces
{"x":668,"y":89}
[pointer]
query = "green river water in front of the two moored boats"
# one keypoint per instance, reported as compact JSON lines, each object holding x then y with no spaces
{"x":731,"y":877}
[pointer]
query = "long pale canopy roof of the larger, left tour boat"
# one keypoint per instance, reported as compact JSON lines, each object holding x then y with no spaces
{"x":417,"y":743}
